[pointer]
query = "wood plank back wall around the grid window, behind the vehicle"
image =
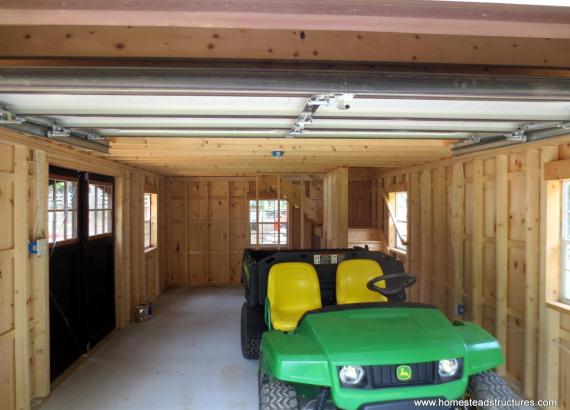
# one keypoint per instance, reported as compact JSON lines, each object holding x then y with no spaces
{"x":208,"y":228}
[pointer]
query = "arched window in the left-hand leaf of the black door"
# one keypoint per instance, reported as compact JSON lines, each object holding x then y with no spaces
{"x":62,"y":210}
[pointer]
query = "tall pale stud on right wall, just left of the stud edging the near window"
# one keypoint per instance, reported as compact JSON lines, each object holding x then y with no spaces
{"x":532,"y":245}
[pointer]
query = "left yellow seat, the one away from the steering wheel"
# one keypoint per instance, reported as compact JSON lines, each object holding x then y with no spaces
{"x":292,"y":289}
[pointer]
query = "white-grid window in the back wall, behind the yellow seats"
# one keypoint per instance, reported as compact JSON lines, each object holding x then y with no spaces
{"x":272,"y":228}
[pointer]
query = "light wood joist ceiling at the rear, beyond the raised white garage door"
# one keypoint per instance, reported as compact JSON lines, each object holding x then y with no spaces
{"x":198,"y":156}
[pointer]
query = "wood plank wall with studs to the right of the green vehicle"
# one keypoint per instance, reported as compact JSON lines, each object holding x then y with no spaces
{"x":474,"y":226}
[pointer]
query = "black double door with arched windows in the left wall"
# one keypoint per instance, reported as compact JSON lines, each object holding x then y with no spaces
{"x":82,"y":290}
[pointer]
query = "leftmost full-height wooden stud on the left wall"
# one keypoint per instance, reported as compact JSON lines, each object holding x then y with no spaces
{"x":21,"y":279}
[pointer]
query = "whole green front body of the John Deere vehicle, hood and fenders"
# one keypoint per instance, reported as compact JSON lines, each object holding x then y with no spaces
{"x":377,"y":335}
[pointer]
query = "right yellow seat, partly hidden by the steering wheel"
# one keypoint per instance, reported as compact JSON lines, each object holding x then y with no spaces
{"x":351,"y":278}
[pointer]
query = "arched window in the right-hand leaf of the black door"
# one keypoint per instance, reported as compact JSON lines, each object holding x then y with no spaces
{"x":100,"y":209}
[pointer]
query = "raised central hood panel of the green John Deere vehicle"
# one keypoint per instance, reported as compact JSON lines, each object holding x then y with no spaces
{"x":383,"y":335}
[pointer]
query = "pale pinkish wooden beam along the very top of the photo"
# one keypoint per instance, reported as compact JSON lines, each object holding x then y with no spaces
{"x":427,"y":16}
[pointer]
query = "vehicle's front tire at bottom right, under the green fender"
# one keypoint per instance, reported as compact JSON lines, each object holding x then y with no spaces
{"x":490,"y":386}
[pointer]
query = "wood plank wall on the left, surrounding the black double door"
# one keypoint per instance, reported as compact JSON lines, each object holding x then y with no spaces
{"x":24,"y":279}
